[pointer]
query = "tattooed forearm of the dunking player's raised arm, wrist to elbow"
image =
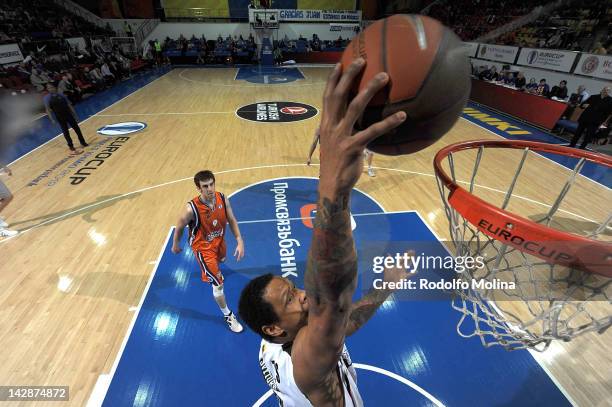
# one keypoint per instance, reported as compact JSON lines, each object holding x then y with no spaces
{"x":332,"y":264}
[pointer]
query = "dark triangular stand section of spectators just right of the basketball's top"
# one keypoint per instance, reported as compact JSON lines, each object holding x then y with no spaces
{"x":472,"y":18}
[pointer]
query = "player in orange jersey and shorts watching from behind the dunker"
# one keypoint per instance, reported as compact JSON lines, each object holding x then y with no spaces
{"x":206,"y":216}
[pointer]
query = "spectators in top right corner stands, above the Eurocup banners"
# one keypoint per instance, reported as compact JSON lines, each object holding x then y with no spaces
{"x":570,"y":27}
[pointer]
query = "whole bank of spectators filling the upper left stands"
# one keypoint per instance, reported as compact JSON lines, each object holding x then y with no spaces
{"x":38,"y":28}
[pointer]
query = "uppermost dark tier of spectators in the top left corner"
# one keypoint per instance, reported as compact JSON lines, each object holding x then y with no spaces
{"x":31,"y":20}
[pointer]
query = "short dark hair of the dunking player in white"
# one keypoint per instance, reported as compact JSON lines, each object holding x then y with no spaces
{"x":254,"y":309}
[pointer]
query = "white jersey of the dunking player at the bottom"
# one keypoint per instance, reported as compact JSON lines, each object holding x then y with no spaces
{"x":277,"y":368}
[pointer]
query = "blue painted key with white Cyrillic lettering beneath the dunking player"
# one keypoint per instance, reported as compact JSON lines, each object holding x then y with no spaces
{"x":180,"y":353}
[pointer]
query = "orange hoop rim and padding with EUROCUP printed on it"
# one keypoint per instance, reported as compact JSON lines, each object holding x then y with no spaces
{"x":549,"y":244}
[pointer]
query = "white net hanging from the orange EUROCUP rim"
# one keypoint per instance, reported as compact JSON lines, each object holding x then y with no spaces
{"x":517,"y":300}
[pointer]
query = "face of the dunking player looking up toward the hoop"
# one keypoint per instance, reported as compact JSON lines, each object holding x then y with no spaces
{"x":291,"y":306}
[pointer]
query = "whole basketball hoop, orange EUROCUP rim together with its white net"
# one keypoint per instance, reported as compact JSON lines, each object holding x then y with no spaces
{"x":562,"y":279}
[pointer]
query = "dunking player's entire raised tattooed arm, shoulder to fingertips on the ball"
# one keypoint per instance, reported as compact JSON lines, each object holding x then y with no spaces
{"x":331,"y":272}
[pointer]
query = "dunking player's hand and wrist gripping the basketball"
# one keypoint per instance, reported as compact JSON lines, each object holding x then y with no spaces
{"x":341,"y":147}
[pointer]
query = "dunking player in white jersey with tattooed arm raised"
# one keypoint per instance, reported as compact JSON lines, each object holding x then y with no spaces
{"x":302,"y":354}
